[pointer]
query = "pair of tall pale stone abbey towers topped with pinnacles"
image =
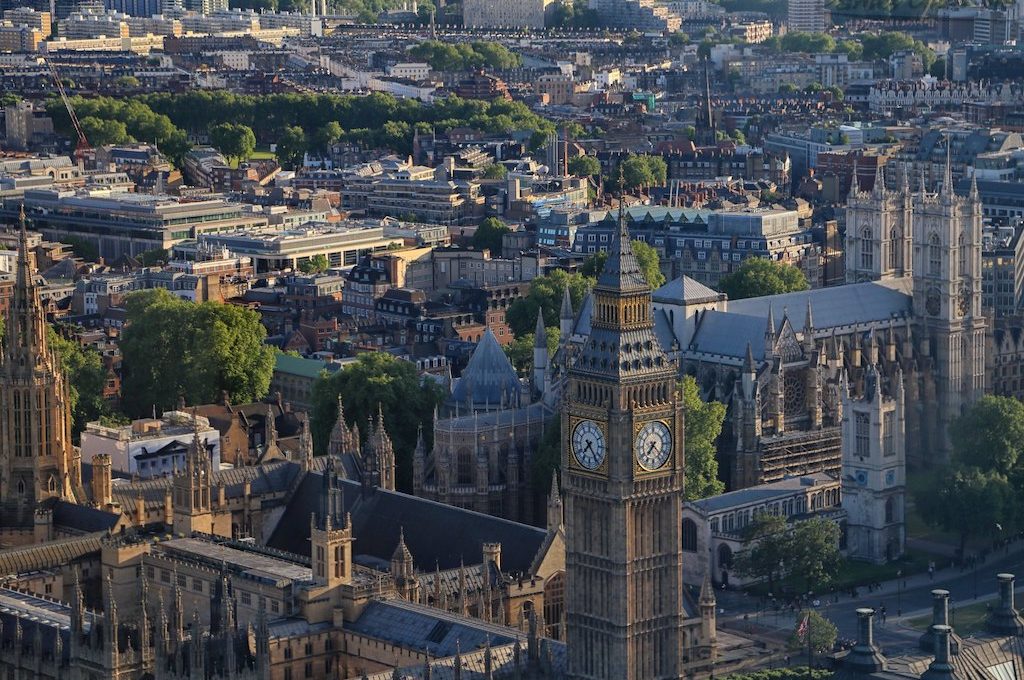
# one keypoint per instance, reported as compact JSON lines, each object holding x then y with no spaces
{"x":934,"y":241}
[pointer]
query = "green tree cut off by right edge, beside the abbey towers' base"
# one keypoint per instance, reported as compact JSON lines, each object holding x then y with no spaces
{"x":991,"y":436}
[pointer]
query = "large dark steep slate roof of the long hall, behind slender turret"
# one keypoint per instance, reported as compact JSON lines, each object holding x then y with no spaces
{"x":438,"y":535}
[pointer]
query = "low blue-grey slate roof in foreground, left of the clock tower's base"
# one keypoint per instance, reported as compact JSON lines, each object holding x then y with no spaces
{"x":425,"y":629}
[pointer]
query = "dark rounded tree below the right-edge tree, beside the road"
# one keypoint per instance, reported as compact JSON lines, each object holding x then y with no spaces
{"x":969,"y":502}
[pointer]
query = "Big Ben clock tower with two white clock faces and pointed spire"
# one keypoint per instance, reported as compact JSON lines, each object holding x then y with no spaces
{"x":623,"y":484}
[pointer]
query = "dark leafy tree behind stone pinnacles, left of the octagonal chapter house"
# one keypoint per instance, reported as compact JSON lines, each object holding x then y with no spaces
{"x":378,"y":380}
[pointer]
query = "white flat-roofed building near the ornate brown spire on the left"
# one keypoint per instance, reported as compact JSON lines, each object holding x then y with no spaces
{"x":151,"y":447}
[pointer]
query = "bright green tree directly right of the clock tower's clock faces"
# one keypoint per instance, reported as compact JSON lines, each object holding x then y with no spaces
{"x":704,"y":426}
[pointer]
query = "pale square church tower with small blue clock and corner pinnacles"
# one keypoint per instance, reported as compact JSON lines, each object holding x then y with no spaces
{"x":875,"y":470}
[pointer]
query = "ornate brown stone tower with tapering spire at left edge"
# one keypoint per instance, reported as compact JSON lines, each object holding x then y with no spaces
{"x":37,"y":459}
